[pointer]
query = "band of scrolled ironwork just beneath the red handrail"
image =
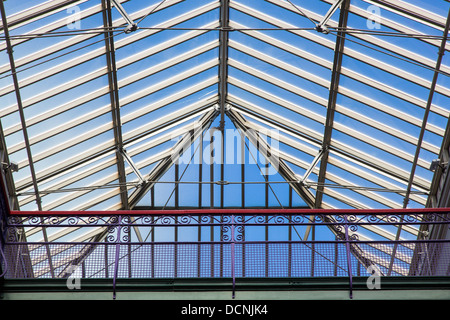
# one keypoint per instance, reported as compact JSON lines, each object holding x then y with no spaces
{"x":345,"y":226}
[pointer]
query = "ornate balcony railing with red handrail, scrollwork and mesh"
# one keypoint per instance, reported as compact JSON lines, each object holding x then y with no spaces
{"x":226,"y":244}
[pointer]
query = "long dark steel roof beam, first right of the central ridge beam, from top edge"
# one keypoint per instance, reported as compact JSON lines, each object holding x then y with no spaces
{"x":334,"y":85}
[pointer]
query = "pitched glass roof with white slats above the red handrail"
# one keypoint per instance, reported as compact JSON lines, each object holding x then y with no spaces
{"x":307,"y":106}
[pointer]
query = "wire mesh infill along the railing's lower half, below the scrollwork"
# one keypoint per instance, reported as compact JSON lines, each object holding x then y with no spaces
{"x":225,"y":260}
